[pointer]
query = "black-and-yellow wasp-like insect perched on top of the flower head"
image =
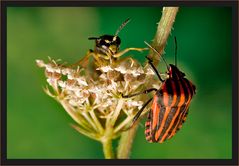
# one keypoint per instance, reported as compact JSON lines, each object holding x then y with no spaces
{"x":106,"y":49}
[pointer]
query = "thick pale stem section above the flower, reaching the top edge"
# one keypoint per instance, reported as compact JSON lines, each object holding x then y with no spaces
{"x":163,"y":30}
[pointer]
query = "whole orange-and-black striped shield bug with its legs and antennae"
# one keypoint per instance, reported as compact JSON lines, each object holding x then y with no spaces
{"x":170,"y":104}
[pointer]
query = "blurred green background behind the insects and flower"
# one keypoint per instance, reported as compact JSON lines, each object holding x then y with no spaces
{"x":38,"y":127}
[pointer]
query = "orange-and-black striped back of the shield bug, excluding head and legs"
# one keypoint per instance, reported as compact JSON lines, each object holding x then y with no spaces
{"x":169,"y":109}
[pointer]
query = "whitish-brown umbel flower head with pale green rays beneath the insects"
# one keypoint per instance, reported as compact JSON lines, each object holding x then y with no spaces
{"x":94,"y":98}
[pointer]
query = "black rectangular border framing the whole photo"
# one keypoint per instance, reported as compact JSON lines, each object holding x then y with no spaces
{"x":233,"y":161}
